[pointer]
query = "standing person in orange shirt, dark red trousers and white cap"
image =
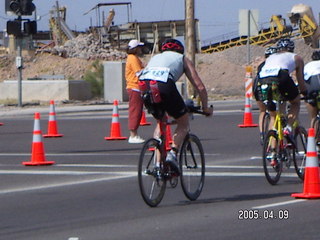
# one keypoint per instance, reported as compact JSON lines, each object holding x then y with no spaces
{"x":133,"y":67}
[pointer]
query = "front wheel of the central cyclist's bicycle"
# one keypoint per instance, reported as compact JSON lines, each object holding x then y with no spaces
{"x":192,"y":166}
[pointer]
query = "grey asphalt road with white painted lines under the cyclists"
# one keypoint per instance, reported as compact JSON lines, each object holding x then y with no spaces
{"x":91,"y":192}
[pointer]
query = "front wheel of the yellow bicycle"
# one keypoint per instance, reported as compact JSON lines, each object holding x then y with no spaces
{"x":300,"y":137}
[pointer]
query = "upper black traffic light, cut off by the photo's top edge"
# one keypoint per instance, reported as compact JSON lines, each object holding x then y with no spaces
{"x":20,"y":7}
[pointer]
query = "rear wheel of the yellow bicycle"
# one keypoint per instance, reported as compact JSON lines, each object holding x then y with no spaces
{"x":271,"y":158}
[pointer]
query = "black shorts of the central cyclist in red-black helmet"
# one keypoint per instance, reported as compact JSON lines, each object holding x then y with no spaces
{"x":171,"y":100}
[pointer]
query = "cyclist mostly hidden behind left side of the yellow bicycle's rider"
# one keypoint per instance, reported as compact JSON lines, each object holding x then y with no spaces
{"x":257,"y":91}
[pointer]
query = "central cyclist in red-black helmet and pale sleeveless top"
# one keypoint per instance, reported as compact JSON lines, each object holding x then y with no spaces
{"x":164,"y":70}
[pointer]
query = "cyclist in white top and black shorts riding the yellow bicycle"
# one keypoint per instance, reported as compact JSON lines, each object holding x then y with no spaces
{"x":278,"y":67}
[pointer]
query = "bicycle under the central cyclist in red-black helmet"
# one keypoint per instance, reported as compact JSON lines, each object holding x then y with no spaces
{"x":154,"y":172}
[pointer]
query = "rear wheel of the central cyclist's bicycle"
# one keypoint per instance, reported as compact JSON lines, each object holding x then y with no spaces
{"x":150,"y":174}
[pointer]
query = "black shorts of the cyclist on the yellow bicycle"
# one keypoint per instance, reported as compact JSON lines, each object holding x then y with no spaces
{"x":287,"y":88}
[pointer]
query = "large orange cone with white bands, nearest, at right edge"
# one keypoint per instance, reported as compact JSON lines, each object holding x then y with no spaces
{"x":311,"y":186}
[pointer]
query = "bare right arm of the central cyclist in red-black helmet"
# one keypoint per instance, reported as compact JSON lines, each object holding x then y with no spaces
{"x":195,"y":80}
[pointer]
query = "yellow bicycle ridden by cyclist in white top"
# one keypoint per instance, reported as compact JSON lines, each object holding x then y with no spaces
{"x":279,"y":149}
